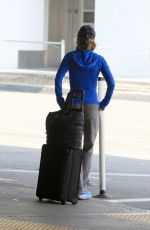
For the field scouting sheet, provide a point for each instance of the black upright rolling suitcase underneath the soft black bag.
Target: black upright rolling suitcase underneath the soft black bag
(59, 174)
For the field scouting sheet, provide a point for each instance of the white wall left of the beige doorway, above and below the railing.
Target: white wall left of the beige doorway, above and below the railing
(19, 20)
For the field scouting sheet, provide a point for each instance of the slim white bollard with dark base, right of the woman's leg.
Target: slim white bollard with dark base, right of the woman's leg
(102, 173)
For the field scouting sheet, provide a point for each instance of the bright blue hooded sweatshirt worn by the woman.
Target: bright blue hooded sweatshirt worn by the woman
(84, 67)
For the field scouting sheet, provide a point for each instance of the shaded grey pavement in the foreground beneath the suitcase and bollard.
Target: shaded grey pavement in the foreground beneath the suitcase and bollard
(18, 178)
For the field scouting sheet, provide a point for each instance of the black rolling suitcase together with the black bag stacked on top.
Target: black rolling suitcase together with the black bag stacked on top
(61, 156)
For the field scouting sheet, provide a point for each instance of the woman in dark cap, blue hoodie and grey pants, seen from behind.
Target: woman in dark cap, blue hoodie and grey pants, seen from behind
(84, 67)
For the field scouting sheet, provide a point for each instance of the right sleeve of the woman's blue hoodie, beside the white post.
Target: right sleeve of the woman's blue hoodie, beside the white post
(105, 70)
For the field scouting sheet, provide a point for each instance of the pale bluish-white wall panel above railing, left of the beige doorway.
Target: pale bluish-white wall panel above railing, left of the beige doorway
(31, 20)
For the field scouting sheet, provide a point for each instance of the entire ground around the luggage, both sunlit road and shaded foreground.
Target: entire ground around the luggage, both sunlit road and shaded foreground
(127, 163)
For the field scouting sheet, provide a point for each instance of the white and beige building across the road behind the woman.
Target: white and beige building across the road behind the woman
(32, 31)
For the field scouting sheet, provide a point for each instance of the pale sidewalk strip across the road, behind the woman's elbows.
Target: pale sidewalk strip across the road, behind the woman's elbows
(125, 89)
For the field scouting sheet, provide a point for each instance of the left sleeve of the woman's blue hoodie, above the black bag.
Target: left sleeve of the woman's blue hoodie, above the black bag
(58, 80)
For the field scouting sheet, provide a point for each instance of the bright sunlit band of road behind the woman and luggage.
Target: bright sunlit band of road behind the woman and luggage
(127, 123)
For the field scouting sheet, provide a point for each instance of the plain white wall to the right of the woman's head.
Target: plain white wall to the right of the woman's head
(125, 24)
